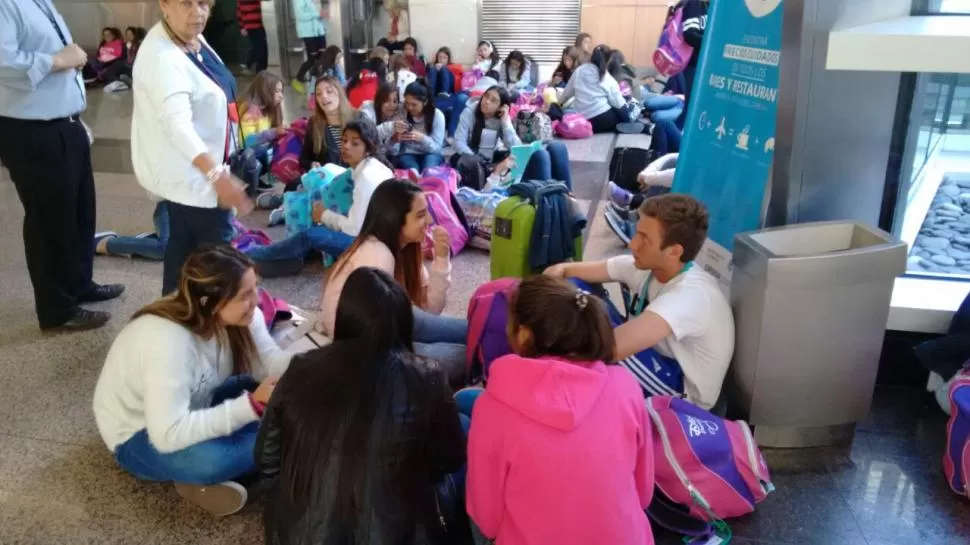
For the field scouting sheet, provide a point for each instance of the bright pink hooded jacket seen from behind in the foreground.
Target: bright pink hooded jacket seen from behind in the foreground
(560, 452)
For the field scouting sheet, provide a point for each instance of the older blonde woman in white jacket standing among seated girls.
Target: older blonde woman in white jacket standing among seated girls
(184, 128)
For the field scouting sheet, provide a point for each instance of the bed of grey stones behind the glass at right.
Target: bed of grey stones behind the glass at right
(943, 243)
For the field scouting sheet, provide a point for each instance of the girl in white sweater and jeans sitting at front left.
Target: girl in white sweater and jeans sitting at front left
(184, 385)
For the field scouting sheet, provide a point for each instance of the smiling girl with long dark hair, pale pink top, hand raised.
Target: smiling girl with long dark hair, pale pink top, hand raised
(390, 239)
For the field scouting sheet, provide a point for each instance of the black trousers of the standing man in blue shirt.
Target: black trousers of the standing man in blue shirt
(50, 165)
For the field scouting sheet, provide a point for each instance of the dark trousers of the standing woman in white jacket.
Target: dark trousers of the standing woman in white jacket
(191, 227)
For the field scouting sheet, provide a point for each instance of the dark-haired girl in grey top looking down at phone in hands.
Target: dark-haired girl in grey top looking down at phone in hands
(420, 136)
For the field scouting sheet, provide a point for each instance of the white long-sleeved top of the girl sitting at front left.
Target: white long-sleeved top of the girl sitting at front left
(160, 377)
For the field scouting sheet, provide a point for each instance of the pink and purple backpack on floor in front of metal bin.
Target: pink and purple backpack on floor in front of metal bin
(710, 465)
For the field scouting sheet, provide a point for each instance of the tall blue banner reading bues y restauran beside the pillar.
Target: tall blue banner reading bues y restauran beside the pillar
(729, 133)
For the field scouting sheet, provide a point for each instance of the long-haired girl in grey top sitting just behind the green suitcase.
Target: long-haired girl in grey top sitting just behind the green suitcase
(486, 125)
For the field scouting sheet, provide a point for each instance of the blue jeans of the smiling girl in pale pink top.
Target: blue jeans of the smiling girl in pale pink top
(442, 338)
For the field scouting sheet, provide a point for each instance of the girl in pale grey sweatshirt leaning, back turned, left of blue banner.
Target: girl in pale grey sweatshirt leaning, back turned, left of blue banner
(597, 93)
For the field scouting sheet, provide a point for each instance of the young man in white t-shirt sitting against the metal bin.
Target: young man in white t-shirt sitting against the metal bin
(678, 337)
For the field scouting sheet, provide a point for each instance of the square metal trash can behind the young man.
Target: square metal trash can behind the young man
(810, 305)
